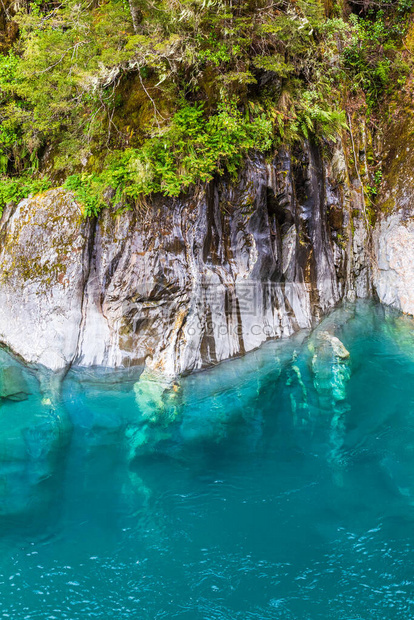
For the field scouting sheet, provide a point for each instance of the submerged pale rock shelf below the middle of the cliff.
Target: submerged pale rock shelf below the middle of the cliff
(177, 416)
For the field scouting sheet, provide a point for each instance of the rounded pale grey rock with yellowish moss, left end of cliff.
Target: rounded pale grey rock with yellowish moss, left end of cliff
(43, 269)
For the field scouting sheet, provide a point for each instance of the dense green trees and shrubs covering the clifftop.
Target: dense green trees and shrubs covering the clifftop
(119, 99)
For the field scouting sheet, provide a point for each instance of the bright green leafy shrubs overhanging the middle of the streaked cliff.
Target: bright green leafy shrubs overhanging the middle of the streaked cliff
(194, 148)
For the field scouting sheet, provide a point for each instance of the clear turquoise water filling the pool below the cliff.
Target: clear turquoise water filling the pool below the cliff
(280, 485)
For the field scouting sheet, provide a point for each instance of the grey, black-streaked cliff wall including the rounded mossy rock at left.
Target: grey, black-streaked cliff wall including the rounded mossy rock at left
(186, 282)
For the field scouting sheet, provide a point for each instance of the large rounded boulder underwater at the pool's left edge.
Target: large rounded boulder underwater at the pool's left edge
(34, 432)
